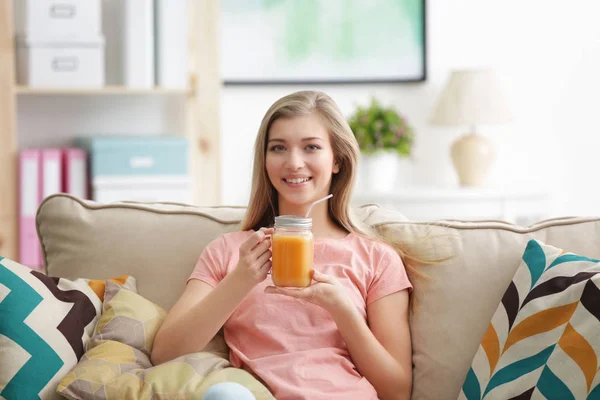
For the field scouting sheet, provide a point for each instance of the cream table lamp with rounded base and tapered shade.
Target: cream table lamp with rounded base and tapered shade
(471, 98)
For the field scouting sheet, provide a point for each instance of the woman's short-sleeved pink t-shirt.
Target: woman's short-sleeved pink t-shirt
(293, 346)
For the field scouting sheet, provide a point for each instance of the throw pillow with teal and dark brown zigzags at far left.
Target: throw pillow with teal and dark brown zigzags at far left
(45, 324)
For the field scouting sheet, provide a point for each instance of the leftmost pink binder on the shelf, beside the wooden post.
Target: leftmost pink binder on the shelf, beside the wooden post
(29, 197)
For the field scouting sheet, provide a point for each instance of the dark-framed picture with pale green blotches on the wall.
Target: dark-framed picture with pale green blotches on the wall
(322, 41)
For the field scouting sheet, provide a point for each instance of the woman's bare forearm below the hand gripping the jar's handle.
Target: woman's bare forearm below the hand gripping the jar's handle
(192, 331)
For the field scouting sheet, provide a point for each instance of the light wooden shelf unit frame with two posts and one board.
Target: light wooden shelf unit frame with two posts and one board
(202, 103)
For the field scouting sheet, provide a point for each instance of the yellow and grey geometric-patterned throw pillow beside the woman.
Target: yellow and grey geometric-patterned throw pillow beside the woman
(117, 364)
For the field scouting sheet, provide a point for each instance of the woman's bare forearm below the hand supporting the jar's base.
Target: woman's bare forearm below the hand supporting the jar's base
(372, 360)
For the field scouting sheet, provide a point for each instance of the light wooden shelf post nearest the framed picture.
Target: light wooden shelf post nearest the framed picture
(203, 103)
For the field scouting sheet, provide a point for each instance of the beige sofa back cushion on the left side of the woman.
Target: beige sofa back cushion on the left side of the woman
(158, 244)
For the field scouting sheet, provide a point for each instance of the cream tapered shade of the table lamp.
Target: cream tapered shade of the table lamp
(471, 97)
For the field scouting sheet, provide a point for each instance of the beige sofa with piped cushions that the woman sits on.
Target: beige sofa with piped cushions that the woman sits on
(160, 243)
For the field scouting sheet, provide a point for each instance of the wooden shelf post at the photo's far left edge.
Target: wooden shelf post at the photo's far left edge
(8, 135)
